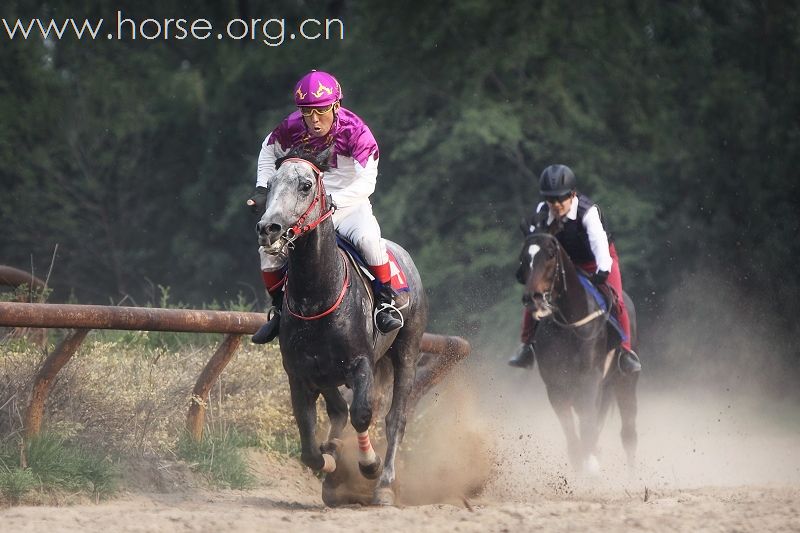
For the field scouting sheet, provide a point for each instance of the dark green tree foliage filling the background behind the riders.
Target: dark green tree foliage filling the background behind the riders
(679, 118)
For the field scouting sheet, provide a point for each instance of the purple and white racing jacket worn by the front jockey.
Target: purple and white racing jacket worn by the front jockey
(354, 160)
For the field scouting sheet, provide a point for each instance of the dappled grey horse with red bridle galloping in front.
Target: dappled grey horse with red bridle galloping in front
(328, 338)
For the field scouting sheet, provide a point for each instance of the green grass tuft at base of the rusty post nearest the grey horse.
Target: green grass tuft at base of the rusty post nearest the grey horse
(220, 457)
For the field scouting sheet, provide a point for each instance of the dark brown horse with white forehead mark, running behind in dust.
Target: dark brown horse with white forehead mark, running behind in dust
(575, 351)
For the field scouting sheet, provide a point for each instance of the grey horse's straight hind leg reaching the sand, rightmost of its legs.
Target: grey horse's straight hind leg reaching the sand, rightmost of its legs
(404, 372)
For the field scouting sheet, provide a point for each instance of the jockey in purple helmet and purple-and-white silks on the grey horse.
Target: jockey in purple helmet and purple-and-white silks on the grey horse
(321, 123)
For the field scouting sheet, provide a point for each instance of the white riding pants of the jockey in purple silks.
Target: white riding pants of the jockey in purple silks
(355, 222)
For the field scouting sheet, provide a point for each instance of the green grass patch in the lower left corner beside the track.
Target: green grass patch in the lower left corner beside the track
(54, 464)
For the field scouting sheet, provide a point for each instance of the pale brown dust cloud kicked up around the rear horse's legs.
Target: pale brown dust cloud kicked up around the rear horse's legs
(718, 407)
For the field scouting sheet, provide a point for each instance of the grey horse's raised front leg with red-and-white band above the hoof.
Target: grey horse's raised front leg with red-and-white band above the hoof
(361, 377)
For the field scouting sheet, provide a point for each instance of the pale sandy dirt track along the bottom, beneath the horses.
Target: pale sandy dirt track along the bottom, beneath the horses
(706, 509)
